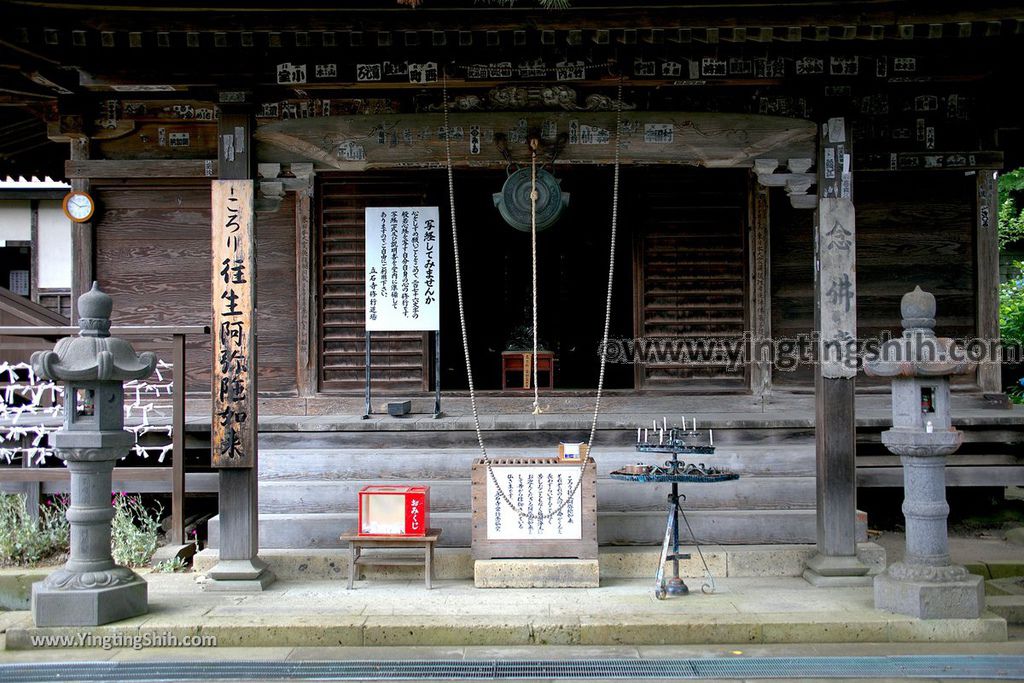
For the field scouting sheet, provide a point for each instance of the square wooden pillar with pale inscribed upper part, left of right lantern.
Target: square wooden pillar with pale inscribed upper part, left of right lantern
(836, 324)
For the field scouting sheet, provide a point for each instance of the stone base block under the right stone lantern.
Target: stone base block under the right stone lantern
(955, 600)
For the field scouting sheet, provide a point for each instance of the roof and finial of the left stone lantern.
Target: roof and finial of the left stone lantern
(95, 355)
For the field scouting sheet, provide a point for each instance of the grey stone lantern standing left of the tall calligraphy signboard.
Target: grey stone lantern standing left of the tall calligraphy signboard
(91, 589)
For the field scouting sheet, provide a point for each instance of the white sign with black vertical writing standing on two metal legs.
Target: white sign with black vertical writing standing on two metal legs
(403, 269)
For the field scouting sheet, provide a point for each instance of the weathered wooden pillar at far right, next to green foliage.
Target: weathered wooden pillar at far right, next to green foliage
(988, 273)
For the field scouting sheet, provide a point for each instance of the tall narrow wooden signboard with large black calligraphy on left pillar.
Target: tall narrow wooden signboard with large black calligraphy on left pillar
(234, 388)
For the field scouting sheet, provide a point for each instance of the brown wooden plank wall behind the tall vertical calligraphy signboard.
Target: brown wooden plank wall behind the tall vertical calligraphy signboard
(153, 257)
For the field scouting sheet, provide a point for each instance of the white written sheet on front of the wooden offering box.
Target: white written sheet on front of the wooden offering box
(538, 492)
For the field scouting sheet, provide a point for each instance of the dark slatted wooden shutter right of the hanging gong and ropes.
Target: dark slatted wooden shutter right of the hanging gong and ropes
(693, 275)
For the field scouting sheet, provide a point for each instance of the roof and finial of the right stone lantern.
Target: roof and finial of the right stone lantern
(919, 353)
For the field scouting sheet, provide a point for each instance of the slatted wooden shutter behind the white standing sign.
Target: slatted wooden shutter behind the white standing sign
(400, 359)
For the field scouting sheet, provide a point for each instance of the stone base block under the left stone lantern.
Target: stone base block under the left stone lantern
(89, 607)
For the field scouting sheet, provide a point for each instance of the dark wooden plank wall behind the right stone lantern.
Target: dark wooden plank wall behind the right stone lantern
(913, 229)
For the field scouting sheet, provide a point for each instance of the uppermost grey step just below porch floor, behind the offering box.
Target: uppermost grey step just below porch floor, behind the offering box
(415, 465)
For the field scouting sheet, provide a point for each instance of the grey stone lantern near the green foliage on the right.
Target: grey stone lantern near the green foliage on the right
(925, 584)
